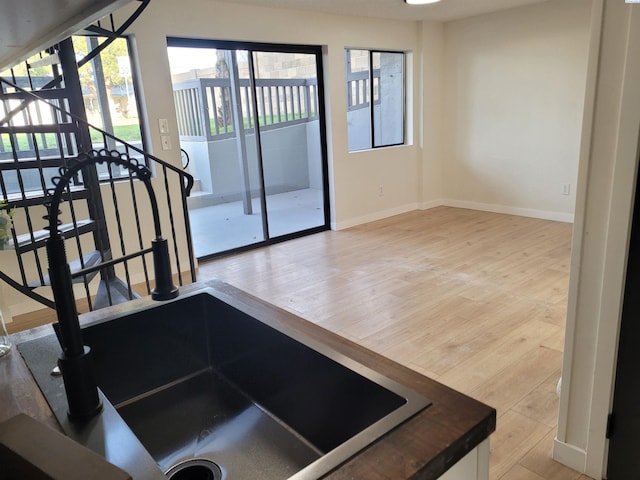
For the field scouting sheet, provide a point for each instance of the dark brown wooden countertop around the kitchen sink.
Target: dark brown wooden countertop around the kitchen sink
(423, 447)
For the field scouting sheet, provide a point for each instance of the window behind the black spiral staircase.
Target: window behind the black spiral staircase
(110, 104)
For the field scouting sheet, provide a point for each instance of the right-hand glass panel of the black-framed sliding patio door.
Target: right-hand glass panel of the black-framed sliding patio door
(290, 140)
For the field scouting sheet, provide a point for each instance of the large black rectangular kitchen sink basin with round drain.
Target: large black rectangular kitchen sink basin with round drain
(199, 378)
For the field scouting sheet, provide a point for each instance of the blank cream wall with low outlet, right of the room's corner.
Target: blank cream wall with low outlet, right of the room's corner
(514, 89)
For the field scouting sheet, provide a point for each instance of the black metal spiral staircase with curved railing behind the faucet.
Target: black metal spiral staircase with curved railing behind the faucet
(43, 128)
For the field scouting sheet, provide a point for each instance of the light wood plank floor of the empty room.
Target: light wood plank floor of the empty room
(475, 300)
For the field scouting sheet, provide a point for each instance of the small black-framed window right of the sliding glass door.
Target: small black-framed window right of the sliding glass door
(378, 75)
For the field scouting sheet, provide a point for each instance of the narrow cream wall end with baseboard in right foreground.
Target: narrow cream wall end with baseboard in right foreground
(608, 170)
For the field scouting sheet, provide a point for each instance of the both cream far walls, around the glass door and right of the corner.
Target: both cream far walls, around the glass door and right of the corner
(495, 101)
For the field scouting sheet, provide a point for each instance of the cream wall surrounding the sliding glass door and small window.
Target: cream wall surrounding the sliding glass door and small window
(355, 177)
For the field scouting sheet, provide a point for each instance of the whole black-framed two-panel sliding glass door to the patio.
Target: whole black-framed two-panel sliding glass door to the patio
(252, 131)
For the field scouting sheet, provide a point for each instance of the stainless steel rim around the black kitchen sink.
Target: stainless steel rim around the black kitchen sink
(414, 402)
